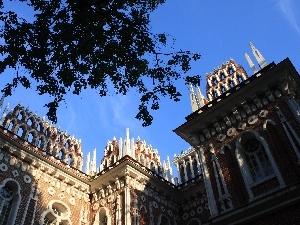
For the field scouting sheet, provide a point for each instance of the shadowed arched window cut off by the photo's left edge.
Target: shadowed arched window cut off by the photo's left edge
(9, 202)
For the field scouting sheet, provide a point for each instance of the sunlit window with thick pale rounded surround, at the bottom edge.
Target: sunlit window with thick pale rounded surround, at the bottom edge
(58, 213)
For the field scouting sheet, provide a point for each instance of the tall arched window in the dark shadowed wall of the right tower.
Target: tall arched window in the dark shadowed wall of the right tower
(254, 153)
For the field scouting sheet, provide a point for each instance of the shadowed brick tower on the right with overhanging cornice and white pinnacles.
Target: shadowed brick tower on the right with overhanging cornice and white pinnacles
(247, 142)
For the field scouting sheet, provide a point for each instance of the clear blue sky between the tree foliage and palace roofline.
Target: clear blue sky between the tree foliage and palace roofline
(217, 30)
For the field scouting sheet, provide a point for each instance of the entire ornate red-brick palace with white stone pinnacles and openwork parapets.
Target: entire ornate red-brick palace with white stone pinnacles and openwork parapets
(243, 166)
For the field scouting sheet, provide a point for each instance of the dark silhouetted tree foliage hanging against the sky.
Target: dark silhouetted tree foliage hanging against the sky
(106, 45)
